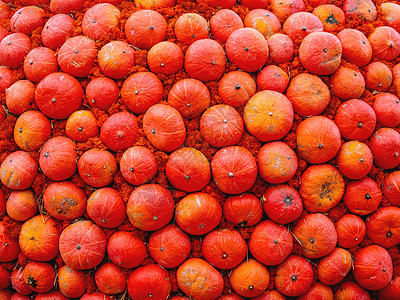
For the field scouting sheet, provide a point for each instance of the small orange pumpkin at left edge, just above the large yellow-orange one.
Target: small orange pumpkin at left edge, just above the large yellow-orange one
(21, 205)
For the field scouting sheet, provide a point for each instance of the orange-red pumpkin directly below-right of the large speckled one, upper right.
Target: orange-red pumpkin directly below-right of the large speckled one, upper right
(347, 83)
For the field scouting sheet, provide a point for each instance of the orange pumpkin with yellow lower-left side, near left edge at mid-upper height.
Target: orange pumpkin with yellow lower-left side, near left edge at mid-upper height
(32, 130)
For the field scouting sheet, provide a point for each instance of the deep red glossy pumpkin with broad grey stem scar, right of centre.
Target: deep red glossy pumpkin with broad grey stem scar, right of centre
(282, 204)
